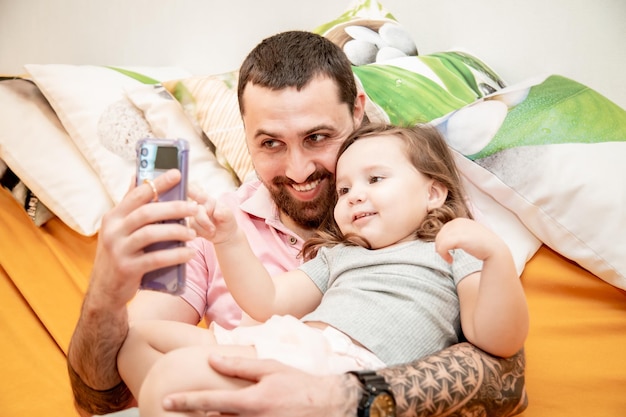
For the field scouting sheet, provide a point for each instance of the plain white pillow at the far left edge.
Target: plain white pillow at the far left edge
(34, 144)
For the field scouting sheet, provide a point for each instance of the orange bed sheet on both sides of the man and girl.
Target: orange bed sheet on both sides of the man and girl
(575, 360)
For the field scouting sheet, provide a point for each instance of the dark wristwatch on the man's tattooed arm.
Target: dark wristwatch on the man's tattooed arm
(377, 399)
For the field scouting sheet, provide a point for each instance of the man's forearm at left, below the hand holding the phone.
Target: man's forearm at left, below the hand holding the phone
(92, 360)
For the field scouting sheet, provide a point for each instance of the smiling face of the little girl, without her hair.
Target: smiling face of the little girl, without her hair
(382, 197)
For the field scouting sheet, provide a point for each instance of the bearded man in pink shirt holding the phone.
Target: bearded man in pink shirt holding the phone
(299, 101)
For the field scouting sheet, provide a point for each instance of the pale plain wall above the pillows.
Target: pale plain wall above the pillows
(581, 39)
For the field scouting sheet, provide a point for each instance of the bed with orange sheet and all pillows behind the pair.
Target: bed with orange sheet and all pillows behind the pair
(541, 157)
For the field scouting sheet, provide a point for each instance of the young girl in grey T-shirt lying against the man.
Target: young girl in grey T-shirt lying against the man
(400, 271)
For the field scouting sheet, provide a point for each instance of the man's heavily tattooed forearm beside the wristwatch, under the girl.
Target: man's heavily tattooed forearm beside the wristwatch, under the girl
(459, 381)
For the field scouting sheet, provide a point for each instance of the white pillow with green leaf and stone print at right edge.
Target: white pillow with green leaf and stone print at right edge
(552, 151)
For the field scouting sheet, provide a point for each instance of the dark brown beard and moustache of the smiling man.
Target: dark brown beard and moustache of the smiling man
(307, 214)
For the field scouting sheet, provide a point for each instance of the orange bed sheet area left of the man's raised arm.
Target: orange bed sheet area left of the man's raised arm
(43, 276)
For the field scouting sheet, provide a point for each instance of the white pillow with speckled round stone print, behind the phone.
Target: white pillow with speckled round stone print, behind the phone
(90, 101)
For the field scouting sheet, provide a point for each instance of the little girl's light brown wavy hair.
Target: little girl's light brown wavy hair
(429, 153)
